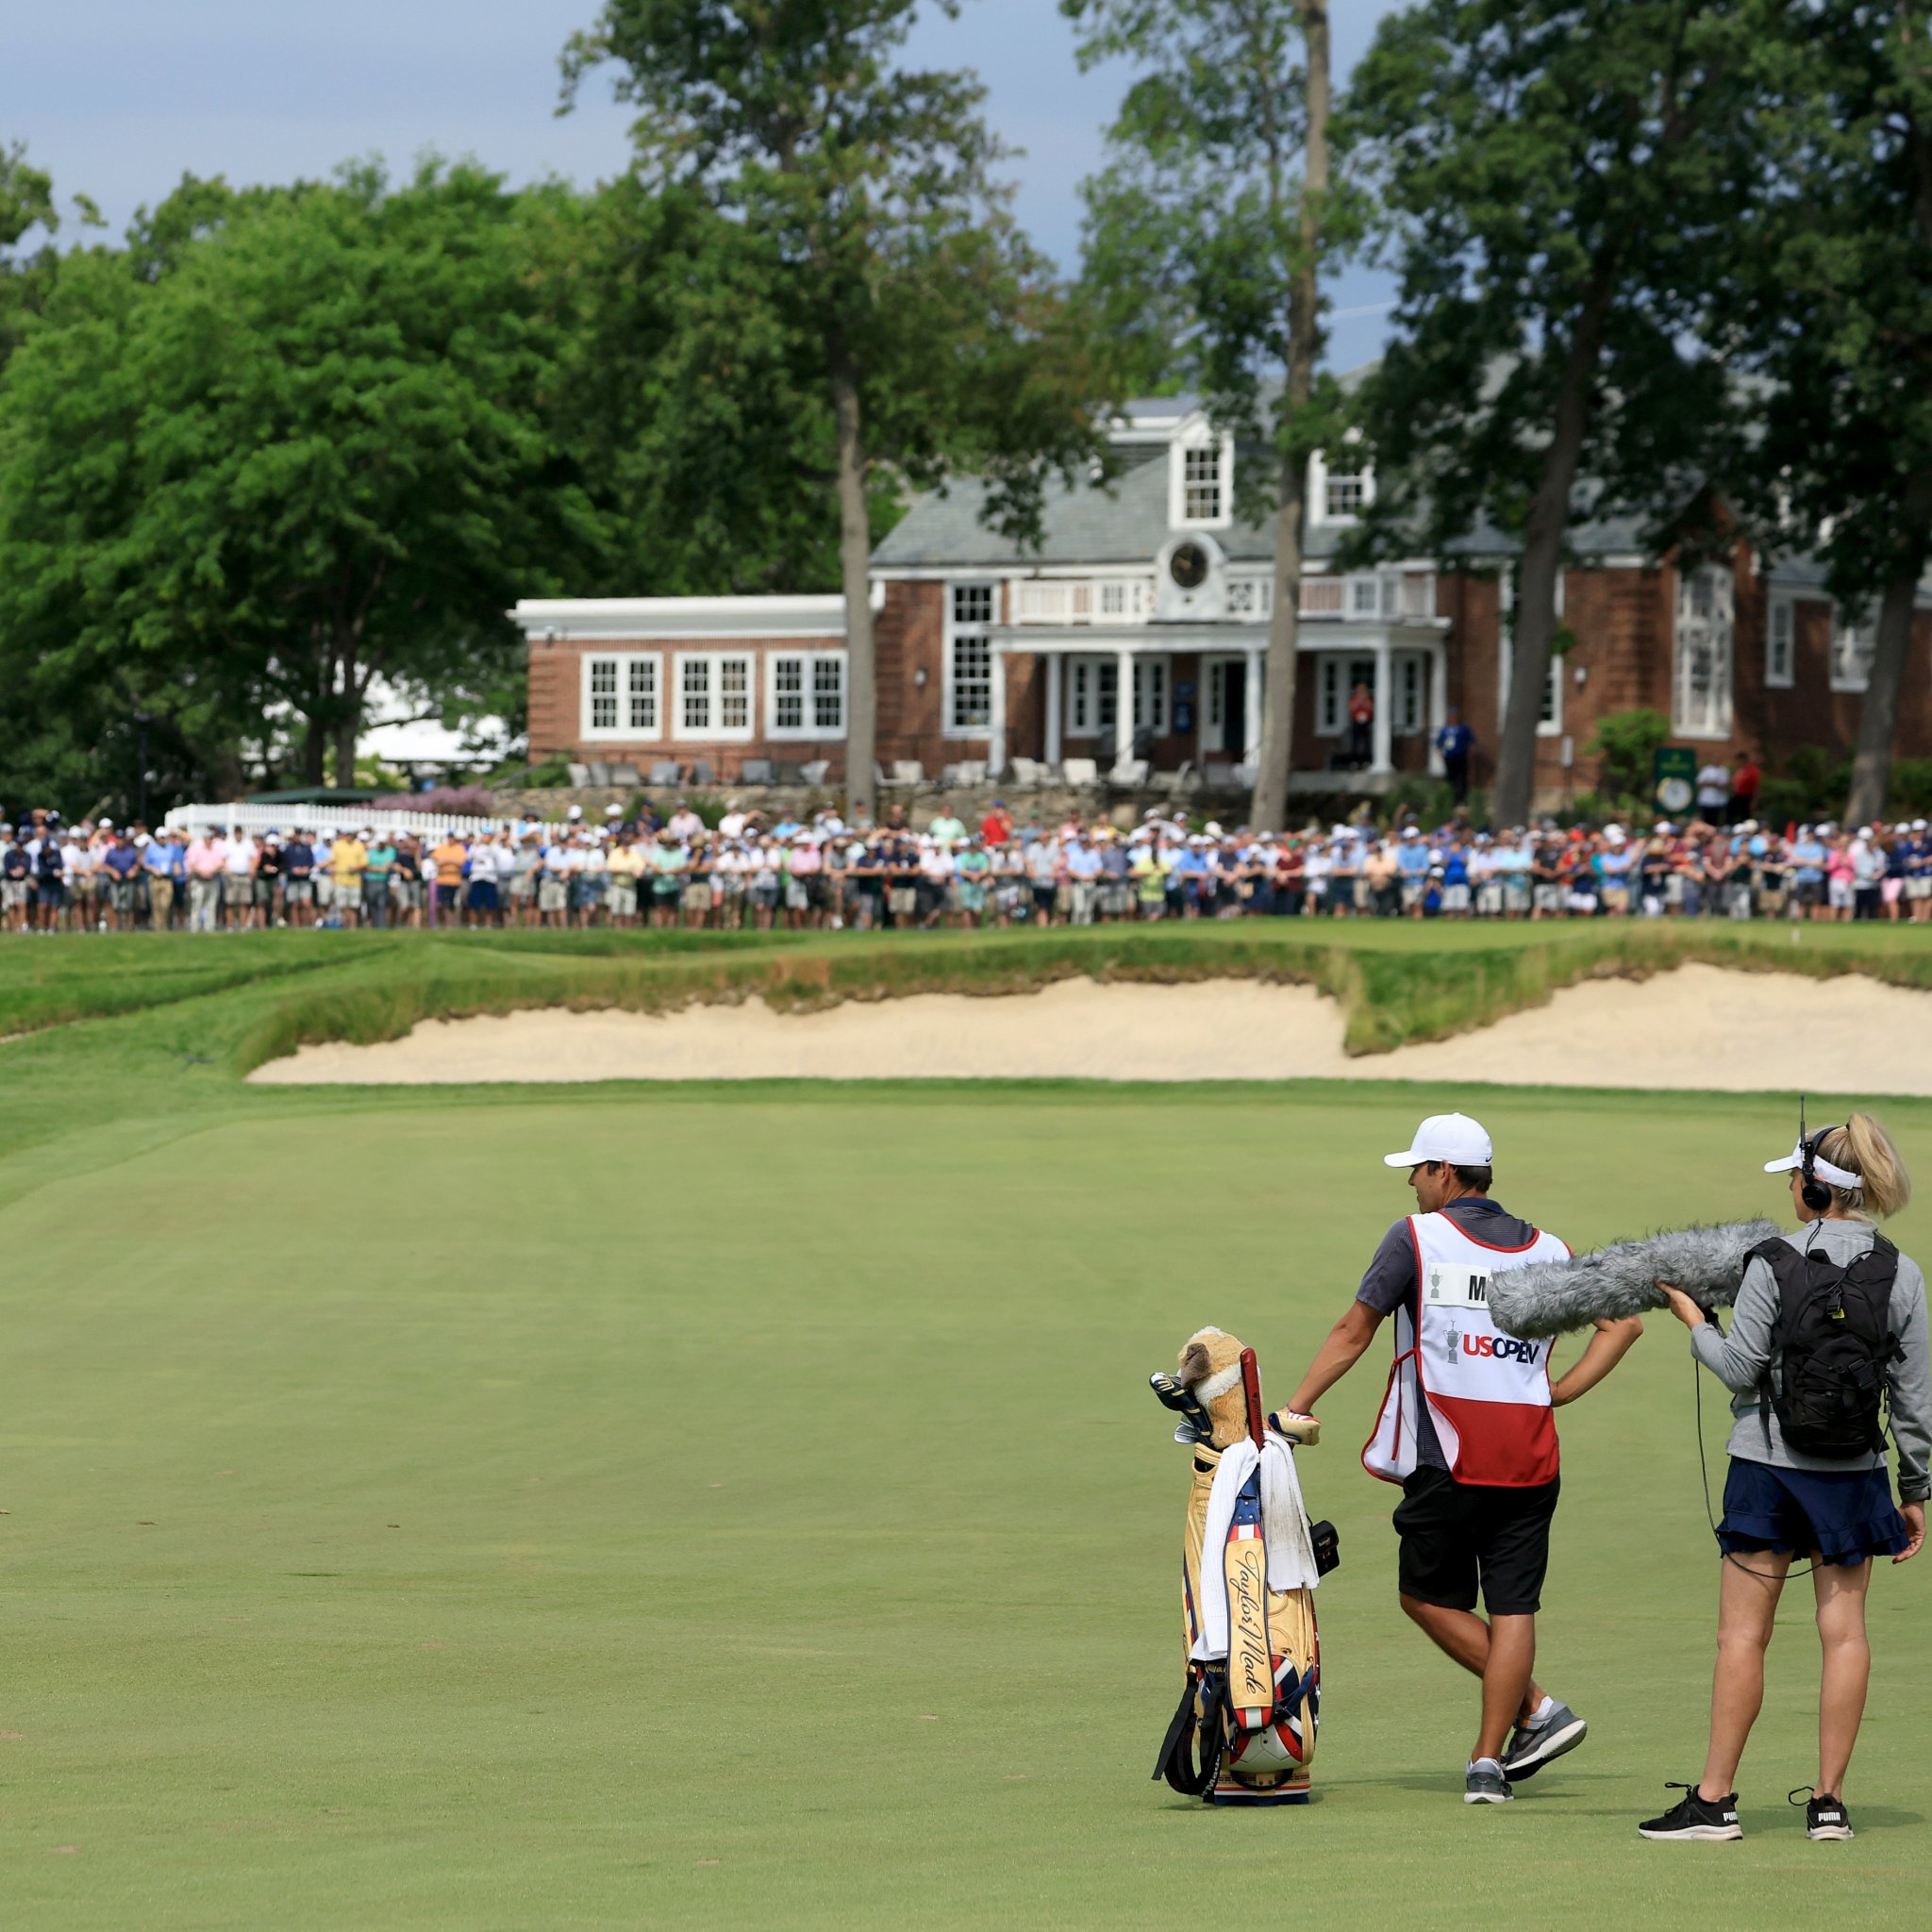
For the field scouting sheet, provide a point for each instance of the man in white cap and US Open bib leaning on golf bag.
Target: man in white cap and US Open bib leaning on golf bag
(1469, 1435)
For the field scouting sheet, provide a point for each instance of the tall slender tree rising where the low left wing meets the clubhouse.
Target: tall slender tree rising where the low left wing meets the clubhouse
(934, 327)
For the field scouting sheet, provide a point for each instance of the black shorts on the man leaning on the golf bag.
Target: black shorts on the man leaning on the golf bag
(1458, 1535)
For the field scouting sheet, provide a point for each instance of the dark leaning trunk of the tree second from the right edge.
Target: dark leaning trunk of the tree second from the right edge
(1543, 557)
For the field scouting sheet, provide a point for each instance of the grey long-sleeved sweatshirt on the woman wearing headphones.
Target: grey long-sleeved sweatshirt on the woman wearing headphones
(1740, 1359)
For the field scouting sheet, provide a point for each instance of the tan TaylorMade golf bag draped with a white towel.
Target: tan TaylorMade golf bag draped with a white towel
(1245, 1730)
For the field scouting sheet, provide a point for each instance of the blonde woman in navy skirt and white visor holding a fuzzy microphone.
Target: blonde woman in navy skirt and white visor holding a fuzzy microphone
(1827, 1319)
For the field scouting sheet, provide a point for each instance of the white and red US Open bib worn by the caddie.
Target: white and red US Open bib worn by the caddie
(1489, 1392)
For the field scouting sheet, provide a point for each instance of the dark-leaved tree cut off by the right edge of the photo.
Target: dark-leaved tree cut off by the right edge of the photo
(1838, 324)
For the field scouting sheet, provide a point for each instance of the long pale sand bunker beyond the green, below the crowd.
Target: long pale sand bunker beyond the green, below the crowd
(1697, 1027)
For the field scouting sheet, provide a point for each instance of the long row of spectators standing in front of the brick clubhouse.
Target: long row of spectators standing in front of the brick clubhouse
(749, 874)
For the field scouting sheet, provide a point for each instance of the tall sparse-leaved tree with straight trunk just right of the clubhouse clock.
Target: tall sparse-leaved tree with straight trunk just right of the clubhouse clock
(1208, 233)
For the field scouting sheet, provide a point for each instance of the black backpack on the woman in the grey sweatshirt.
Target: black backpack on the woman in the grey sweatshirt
(1833, 1344)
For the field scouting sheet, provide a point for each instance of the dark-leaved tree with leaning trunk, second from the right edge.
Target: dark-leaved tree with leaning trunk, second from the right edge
(1564, 181)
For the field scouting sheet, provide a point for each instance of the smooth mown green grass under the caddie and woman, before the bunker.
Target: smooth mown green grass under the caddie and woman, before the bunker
(526, 1512)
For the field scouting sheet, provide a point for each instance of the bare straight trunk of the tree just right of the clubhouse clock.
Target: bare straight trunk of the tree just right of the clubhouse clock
(1270, 807)
